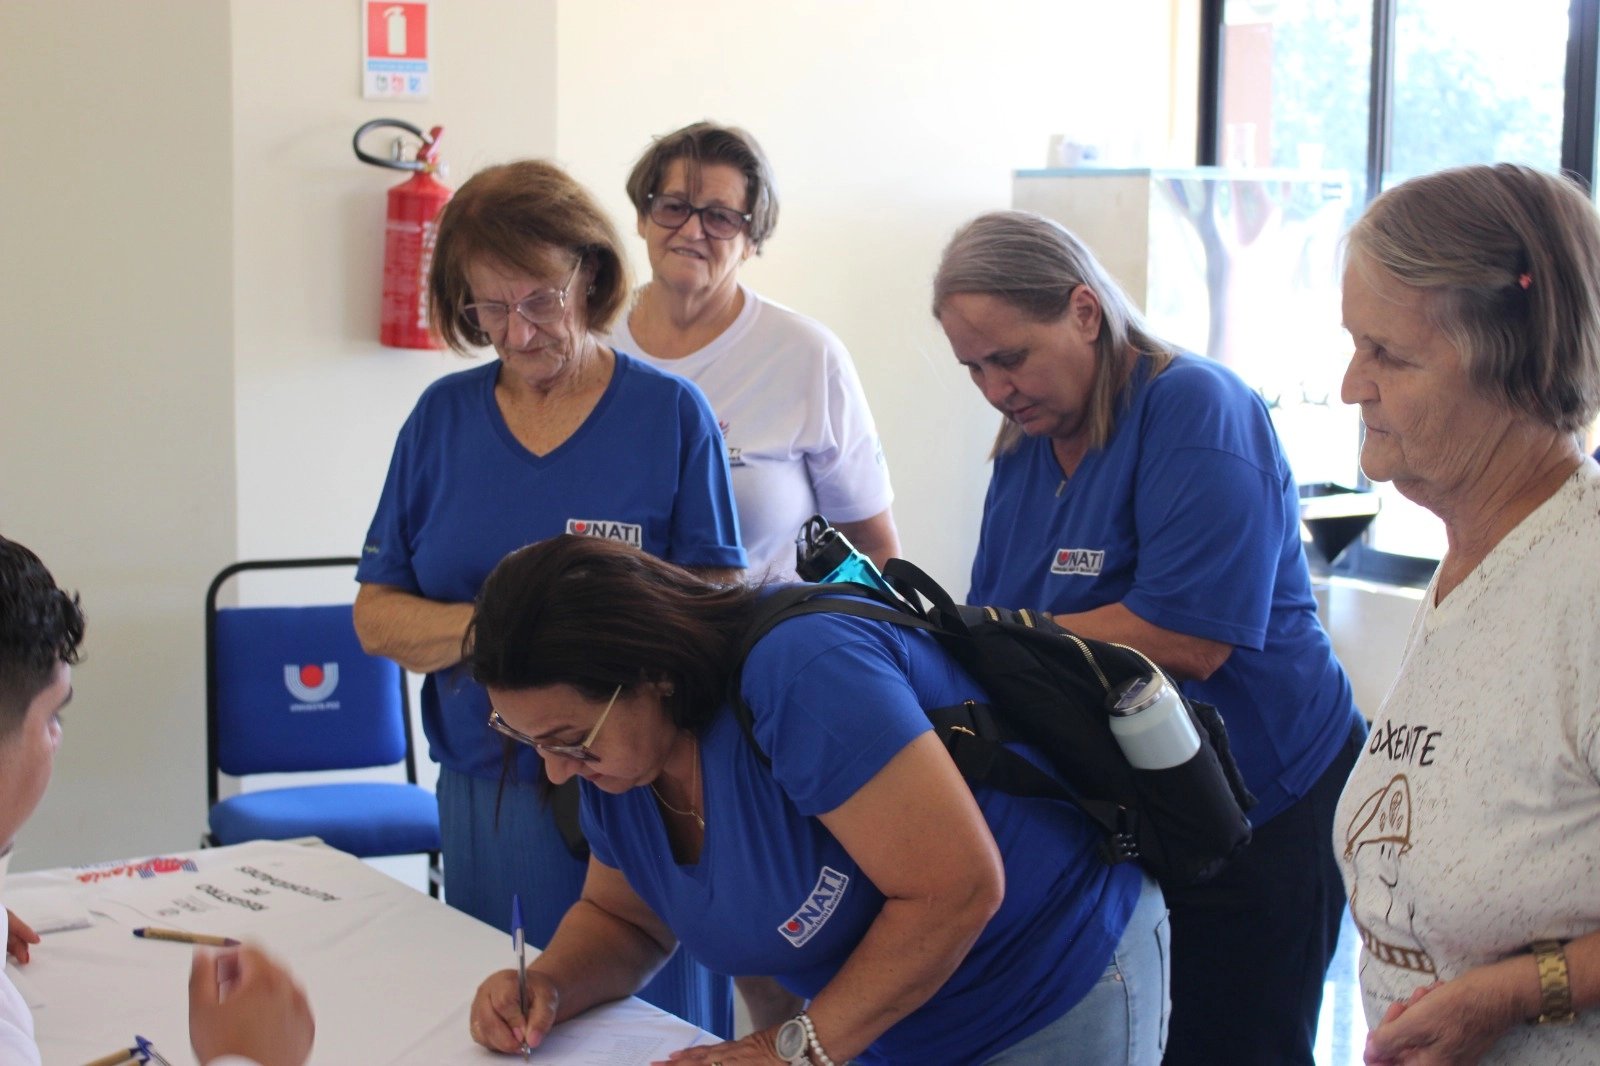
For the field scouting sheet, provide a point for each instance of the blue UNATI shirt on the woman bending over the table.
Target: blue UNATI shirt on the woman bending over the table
(834, 700)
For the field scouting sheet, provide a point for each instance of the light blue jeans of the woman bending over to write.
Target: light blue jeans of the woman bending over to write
(1122, 1022)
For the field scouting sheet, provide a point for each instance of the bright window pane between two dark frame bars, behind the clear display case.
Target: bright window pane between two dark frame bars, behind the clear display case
(1295, 95)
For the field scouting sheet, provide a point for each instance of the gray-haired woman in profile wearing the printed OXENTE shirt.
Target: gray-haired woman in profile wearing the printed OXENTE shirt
(1471, 827)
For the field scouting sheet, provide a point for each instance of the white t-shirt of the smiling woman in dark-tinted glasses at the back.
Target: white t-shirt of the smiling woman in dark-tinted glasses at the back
(796, 423)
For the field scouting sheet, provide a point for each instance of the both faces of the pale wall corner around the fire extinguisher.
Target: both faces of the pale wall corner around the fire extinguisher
(191, 374)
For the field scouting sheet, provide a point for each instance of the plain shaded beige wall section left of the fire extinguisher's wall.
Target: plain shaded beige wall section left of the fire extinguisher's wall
(118, 388)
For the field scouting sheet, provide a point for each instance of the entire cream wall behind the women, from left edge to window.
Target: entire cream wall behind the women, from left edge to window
(191, 297)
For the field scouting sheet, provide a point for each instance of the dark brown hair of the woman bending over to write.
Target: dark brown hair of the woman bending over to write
(594, 614)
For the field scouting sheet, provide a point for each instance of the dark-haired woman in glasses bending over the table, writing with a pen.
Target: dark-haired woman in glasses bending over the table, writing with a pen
(922, 921)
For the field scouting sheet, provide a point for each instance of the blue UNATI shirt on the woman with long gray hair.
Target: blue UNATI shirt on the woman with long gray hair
(1190, 518)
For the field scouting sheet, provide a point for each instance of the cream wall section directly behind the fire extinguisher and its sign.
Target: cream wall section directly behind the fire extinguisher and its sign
(318, 401)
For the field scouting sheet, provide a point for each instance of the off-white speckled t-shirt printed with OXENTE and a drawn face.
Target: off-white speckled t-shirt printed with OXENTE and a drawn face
(1471, 824)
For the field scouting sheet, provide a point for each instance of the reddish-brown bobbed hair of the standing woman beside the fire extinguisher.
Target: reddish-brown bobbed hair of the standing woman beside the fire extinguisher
(516, 215)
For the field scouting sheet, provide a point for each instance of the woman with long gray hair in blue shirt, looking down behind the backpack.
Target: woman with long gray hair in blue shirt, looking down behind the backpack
(1140, 495)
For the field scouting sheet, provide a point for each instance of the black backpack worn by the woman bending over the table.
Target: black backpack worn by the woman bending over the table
(1050, 692)
